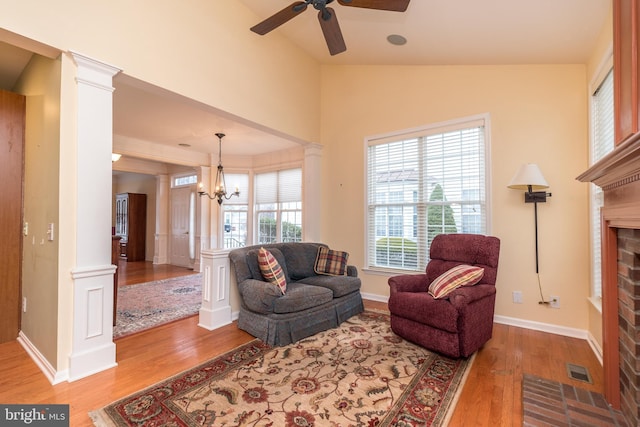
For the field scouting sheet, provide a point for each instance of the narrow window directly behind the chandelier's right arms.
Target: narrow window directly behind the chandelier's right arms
(235, 212)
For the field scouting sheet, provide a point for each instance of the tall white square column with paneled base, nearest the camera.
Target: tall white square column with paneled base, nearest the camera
(92, 348)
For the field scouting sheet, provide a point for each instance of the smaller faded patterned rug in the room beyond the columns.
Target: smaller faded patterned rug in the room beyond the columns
(146, 305)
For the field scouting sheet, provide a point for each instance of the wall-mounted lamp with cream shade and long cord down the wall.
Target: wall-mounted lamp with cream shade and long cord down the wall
(530, 179)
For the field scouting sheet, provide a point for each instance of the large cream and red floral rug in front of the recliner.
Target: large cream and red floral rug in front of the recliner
(359, 374)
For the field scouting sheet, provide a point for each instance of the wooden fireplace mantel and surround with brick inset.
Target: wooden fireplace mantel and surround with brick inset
(618, 174)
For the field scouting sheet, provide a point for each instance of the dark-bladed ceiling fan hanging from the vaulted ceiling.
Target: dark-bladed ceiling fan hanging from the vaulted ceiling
(327, 17)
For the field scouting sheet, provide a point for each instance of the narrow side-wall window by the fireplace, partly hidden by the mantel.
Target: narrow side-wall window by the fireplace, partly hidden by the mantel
(602, 142)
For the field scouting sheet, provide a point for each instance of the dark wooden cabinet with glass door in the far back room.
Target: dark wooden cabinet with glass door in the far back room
(131, 225)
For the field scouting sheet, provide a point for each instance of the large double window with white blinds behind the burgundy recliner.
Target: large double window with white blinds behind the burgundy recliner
(421, 183)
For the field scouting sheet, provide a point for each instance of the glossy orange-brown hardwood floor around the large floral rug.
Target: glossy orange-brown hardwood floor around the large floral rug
(491, 396)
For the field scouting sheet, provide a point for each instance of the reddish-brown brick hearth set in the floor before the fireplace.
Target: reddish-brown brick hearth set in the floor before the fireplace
(551, 403)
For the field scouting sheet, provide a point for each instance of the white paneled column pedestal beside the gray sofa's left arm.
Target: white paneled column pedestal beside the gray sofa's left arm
(216, 306)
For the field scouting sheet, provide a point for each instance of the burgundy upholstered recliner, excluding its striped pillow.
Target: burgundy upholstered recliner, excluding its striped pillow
(460, 323)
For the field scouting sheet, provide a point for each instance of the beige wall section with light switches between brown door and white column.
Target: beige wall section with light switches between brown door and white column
(40, 82)
